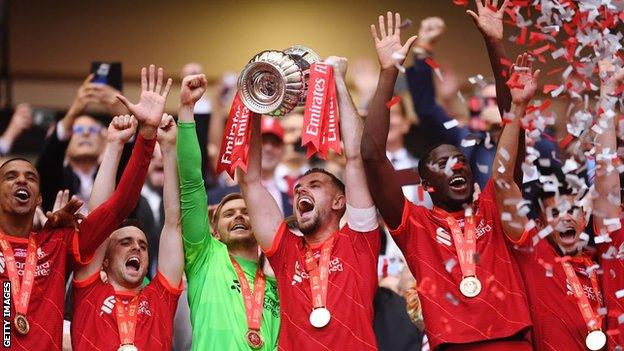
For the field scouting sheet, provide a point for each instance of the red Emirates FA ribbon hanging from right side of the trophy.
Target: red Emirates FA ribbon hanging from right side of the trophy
(321, 120)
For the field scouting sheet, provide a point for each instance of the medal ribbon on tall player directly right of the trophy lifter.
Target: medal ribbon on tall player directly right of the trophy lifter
(465, 244)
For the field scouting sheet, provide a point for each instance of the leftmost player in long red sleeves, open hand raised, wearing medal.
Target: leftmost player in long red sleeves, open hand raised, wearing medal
(35, 264)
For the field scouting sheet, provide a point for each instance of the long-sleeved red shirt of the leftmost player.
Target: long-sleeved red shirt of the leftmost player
(59, 250)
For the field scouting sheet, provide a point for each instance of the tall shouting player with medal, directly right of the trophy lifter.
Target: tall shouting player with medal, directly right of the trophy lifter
(470, 290)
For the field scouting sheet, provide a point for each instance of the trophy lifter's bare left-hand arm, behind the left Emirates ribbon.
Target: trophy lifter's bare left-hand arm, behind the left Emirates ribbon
(264, 212)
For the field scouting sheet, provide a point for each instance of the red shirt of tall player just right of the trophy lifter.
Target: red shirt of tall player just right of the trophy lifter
(499, 311)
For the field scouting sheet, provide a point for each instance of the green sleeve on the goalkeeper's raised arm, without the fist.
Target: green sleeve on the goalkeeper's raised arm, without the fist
(193, 199)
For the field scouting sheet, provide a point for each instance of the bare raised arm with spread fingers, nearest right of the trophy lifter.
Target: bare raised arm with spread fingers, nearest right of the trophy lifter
(384, 188)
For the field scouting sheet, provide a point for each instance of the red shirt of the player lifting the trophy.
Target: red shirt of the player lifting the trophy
(351, 288)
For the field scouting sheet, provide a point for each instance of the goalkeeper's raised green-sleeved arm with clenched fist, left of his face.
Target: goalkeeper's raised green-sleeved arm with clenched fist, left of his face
(193, 199)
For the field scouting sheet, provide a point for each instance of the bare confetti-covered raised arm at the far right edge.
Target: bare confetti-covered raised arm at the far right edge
(607, 183)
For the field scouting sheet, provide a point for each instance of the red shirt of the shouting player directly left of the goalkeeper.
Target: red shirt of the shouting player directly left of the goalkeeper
(94, 325)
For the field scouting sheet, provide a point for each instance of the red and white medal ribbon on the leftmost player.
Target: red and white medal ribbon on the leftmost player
(21, 291)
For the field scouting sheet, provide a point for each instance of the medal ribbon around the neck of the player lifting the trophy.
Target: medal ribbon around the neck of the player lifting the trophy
(319, 273)
